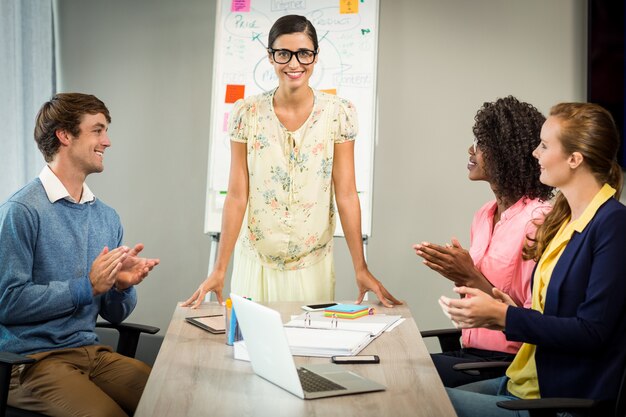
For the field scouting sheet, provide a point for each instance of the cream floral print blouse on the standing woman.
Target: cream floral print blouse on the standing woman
(291, 215)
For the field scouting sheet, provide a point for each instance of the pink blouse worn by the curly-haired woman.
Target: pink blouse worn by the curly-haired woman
(497, 253)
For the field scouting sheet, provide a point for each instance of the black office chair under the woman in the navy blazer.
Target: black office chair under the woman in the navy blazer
(549, 407)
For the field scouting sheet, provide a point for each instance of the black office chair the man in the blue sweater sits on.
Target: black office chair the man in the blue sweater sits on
(128, 340)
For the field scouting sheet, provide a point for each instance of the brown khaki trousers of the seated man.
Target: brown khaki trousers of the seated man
(90, 381)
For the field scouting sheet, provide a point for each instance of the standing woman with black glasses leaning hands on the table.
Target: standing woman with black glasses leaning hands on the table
(292, 152)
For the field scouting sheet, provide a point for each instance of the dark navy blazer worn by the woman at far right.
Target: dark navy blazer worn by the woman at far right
(581, 336)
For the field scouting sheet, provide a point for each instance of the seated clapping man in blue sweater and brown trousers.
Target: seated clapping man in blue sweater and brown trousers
(62, 265)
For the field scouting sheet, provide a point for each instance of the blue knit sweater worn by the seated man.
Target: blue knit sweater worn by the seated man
(46, 252)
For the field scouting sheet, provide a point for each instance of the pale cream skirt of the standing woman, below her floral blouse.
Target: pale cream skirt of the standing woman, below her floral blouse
(251, 279)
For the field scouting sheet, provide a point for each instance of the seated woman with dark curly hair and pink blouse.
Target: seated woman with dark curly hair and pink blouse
(506, 132)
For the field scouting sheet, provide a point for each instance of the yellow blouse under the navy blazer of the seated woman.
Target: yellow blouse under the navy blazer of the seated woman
(522, 372)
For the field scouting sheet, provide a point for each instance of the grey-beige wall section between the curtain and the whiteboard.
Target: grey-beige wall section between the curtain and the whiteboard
(150, 62)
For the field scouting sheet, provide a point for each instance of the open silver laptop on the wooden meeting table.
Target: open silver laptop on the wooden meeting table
(271, 358)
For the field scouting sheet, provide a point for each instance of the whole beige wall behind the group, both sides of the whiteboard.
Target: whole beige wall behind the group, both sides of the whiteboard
(151, 61)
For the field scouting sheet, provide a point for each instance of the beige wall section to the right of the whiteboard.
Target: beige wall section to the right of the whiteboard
(438, 62)
